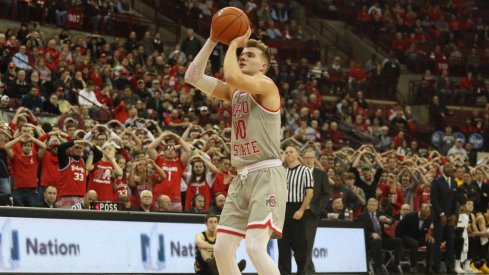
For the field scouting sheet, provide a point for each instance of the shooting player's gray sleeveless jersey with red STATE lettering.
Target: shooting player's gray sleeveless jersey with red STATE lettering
(255, 134)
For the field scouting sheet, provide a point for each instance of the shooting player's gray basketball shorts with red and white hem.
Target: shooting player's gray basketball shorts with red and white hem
(255, 201)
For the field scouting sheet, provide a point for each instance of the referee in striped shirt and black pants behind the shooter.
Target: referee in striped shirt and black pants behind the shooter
(300, 191)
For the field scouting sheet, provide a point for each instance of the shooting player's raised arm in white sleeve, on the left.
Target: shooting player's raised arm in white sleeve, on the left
(195, 74)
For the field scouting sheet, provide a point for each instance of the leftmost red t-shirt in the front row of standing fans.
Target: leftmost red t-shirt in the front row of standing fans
(25, 169)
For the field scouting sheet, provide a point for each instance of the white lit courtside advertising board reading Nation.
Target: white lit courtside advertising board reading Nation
(32, 245)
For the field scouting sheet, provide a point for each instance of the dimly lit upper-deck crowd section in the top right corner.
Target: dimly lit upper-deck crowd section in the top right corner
(445, 40)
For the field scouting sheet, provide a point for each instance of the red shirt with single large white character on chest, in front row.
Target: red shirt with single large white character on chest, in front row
(171, 185)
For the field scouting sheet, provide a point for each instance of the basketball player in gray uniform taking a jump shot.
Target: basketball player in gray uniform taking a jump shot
(255, 206)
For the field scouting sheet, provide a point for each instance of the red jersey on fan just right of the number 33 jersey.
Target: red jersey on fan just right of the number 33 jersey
(101, 181)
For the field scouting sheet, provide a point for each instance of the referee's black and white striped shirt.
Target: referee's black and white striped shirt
(299, 179)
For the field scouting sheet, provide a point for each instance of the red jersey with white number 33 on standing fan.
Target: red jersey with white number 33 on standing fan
(73, 181)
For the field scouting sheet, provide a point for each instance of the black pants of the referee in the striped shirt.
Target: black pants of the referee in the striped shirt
(293, 238)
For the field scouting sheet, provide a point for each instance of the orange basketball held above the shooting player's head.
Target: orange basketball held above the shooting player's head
(229, 23)
